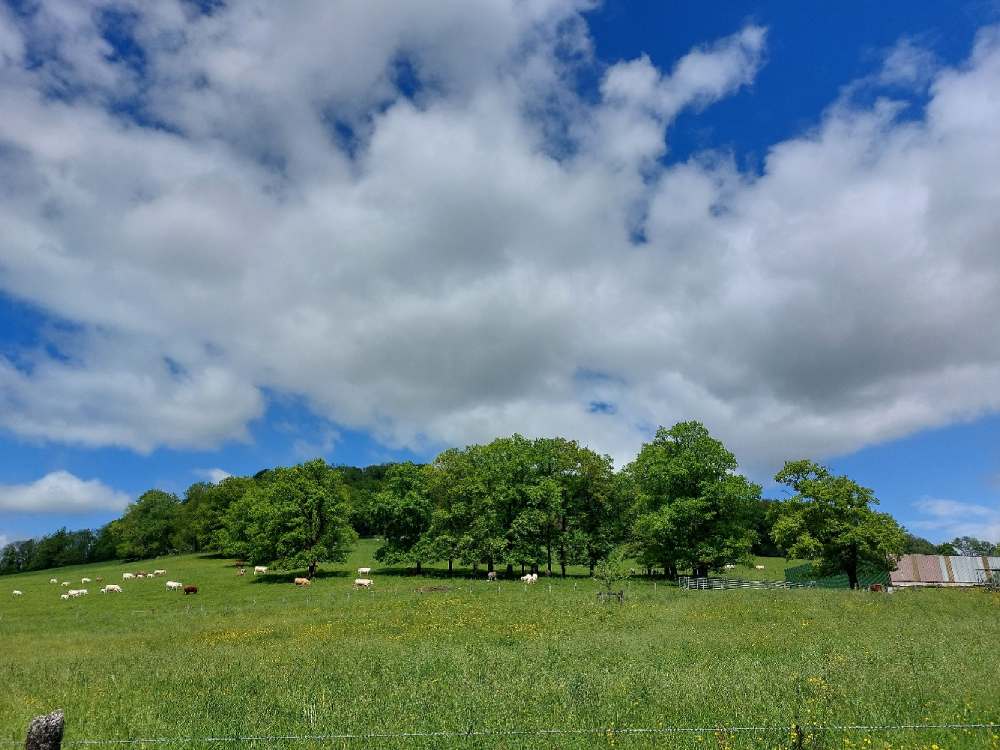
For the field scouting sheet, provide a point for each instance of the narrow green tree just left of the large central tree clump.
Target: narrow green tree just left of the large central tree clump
(402, 513)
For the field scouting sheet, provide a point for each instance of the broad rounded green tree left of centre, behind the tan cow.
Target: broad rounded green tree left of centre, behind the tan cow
(291, 518)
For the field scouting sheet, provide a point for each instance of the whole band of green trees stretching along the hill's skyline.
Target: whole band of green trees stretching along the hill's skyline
(514, 503)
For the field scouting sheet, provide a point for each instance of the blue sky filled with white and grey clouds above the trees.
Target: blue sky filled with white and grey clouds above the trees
(236, 235)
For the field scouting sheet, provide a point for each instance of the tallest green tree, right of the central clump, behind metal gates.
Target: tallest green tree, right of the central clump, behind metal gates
(692, 509)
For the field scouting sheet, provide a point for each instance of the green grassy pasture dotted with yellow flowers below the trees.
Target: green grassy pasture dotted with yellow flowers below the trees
(258, 657)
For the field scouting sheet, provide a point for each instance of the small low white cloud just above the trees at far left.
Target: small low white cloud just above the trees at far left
(61, 492)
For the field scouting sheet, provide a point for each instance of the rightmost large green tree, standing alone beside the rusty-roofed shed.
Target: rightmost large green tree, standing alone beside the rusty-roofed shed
(830, 520)
